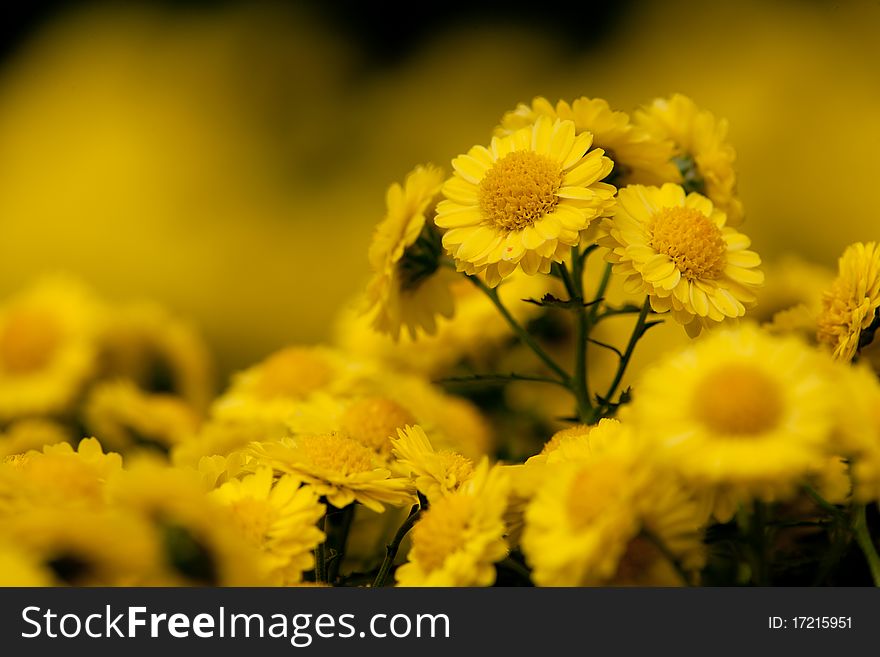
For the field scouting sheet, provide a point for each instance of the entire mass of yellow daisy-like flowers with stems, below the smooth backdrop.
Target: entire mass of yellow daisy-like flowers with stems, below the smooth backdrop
(750, 455)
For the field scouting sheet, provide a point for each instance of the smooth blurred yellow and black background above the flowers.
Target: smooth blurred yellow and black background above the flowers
(230, 159)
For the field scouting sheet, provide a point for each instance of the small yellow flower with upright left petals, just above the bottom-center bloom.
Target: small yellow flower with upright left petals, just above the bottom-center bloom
(436, 473)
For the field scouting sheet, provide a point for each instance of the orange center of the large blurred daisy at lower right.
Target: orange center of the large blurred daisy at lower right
(738, 400)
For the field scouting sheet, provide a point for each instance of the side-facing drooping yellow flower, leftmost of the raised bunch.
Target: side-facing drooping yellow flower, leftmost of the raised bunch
(409, 287)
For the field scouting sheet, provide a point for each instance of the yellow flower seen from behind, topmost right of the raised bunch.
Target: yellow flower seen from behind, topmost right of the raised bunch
(703, 155)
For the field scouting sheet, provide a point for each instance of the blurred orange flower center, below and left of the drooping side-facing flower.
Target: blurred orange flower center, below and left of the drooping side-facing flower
(293, 372)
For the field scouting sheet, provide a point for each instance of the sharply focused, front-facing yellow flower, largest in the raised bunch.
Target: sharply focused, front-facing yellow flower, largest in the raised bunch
(523, 201)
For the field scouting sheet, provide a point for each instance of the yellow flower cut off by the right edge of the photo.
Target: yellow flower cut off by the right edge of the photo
(851, 306)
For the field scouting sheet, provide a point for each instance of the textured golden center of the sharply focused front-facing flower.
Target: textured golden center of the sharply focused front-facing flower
(519, 189)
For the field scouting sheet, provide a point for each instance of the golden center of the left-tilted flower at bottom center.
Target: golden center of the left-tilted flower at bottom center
(441, 531)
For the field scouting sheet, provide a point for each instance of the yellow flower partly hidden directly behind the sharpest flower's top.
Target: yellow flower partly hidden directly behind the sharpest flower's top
(638, 157)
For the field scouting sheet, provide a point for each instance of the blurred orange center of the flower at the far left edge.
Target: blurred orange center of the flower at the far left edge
(28, 341)
